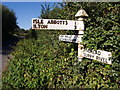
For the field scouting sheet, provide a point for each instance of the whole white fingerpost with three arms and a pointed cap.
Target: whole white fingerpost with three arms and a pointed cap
(53, 24)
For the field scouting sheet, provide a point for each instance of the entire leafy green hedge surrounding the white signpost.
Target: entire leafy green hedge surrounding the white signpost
(46, 62)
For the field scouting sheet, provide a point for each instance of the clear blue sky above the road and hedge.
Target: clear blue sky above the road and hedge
(25, 11)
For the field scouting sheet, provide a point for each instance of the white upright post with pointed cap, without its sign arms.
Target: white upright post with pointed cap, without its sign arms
(81, 14)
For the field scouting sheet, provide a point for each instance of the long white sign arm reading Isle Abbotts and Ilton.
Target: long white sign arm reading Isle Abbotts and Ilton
(57, 24)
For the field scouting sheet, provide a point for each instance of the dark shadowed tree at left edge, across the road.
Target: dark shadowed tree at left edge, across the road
(9, 21)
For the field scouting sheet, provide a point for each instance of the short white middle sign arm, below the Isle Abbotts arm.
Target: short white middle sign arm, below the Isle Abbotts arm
(71, 38)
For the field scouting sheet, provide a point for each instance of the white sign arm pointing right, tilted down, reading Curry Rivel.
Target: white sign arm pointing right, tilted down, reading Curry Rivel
(99, 55)
